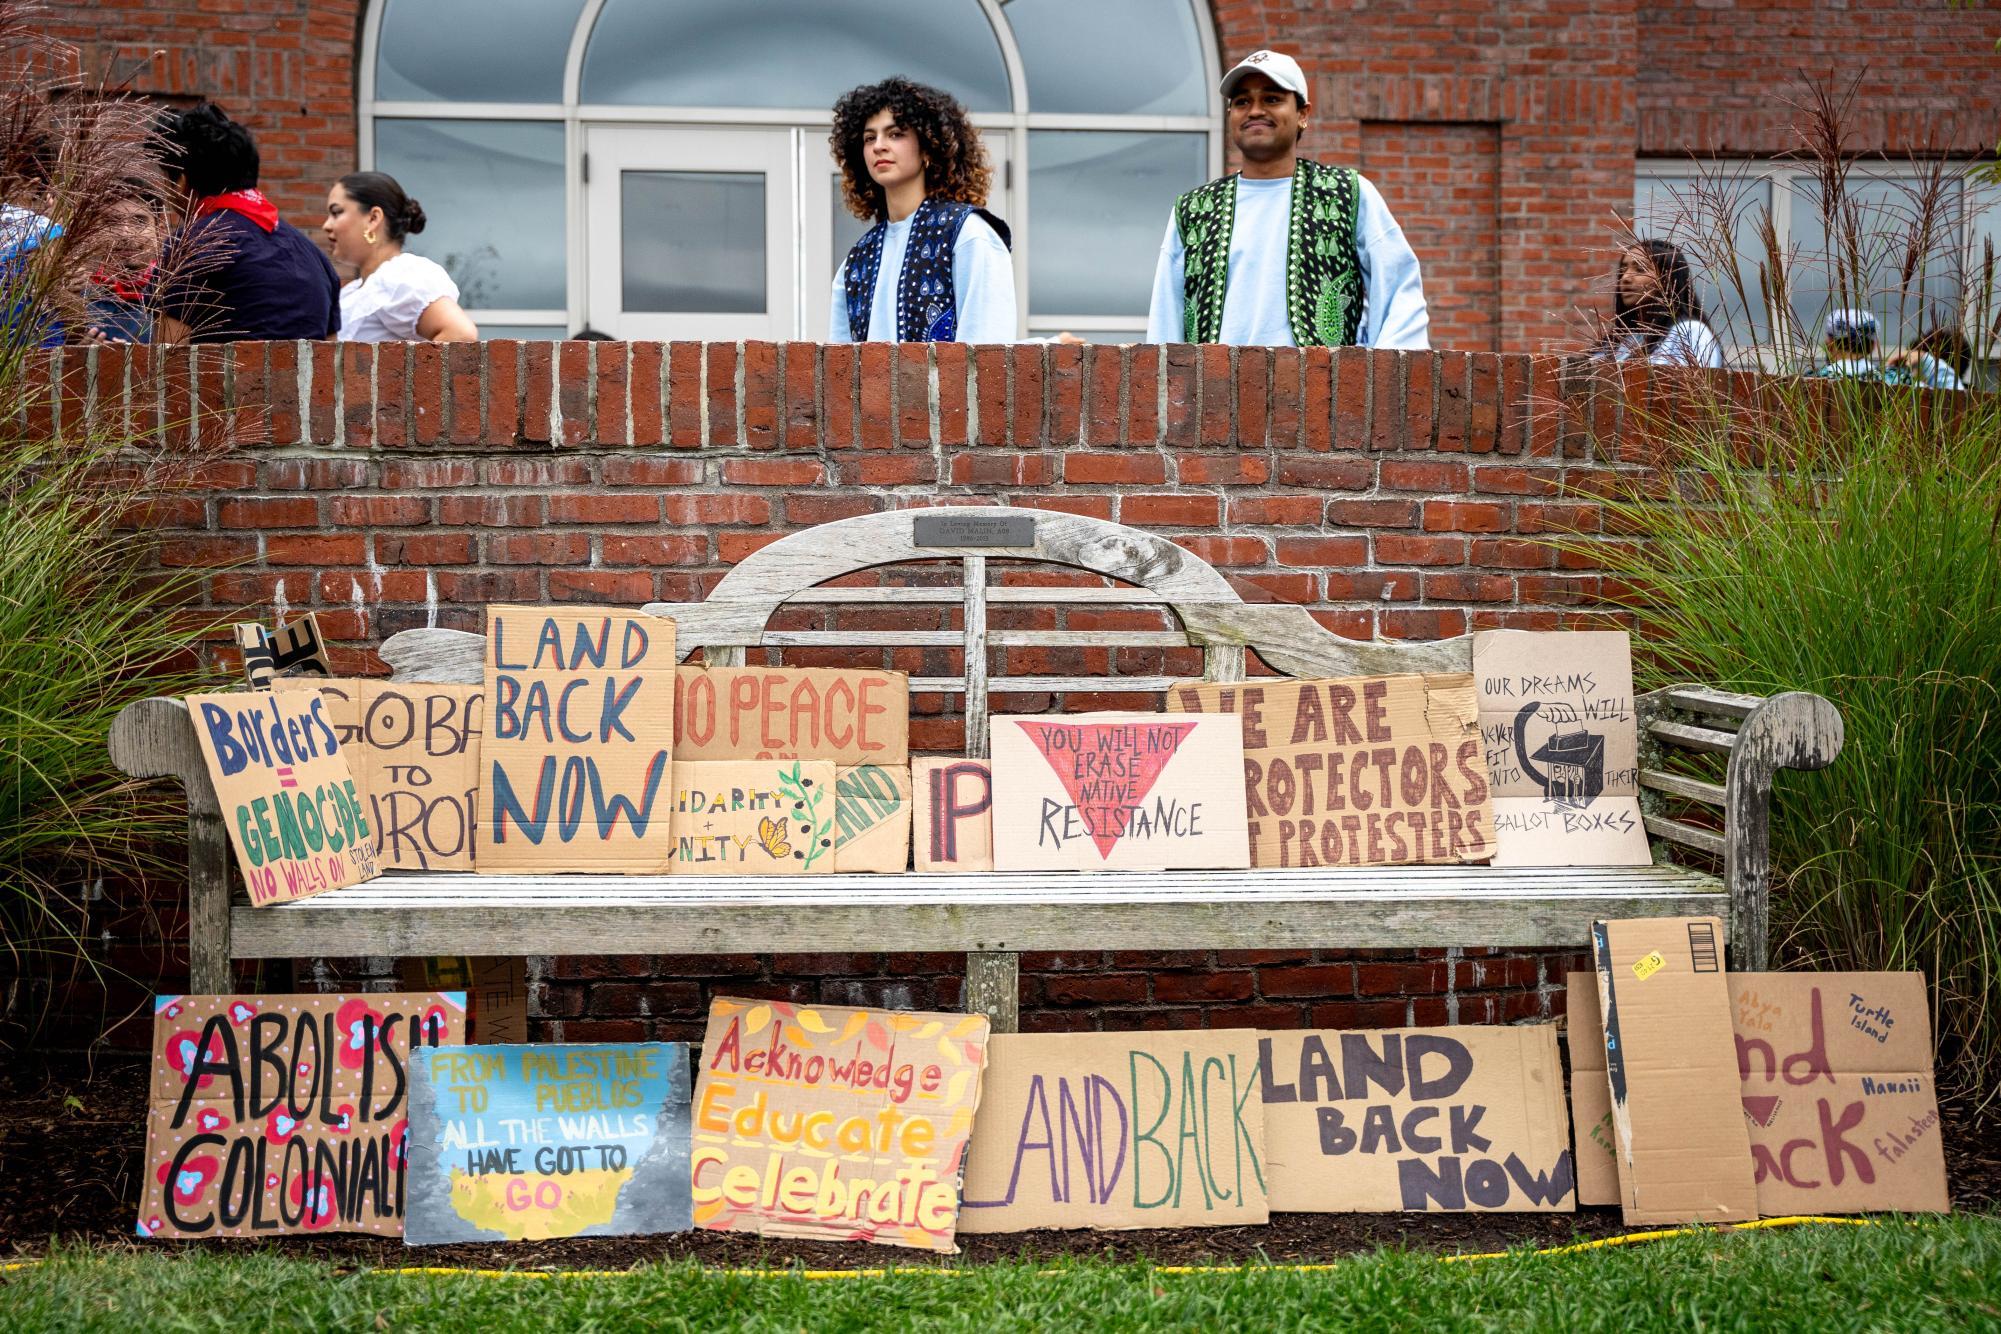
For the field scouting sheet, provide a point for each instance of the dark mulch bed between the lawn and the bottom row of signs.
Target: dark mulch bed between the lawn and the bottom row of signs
(71, 1145)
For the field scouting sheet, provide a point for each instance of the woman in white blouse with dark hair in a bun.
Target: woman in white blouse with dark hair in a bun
(397, 297)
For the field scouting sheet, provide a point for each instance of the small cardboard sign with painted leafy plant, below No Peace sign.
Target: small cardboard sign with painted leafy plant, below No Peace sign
(753, 819)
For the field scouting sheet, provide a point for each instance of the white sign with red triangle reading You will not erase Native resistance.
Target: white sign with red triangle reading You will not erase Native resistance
(1120, 791)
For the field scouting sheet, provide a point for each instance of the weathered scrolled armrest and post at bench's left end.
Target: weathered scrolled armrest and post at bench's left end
(155, 739)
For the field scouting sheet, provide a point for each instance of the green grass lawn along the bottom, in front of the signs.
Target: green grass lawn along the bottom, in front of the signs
(1898, 1277)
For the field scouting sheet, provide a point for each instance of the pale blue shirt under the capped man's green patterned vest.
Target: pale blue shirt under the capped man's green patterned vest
(1254, 301)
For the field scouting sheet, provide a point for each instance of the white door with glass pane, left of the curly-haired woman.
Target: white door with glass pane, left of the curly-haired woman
(691, 233)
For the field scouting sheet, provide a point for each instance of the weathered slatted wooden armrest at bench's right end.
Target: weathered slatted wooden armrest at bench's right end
(1762, 735)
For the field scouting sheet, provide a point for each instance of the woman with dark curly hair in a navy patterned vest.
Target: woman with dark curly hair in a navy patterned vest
(913, 163)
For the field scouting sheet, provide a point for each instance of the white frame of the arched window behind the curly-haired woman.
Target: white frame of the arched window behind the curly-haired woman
(575, 115)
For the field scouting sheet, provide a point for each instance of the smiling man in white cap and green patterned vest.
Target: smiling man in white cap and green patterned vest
(1288, 253)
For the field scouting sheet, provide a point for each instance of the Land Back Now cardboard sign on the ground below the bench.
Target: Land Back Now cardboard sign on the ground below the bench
(1464, 1119)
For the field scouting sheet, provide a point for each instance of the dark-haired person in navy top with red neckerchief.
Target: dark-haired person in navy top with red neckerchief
(235, 269)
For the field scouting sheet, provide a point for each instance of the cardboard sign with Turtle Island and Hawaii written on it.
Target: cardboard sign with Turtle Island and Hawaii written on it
(1838, 1093)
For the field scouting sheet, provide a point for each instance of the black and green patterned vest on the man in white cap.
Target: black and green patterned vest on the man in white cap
(1324, 281)
